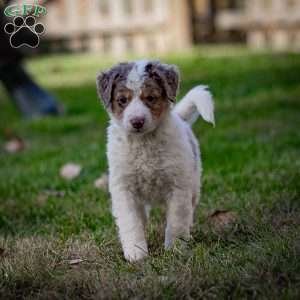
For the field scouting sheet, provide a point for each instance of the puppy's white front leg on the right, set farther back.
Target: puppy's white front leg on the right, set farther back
(179, 217)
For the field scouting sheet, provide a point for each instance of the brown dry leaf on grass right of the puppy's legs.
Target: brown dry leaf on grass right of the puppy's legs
(222, 219)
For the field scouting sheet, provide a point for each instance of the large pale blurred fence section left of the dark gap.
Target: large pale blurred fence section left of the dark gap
(118, 27)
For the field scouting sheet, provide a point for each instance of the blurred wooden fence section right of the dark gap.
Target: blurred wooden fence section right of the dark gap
(268, 23)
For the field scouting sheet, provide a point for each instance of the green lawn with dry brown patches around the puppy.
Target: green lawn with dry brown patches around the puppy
(251, 168)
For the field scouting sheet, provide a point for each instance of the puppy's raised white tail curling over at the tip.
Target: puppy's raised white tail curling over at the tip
(198, 101)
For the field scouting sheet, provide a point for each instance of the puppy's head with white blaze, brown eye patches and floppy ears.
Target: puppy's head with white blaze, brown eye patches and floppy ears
(138, 95)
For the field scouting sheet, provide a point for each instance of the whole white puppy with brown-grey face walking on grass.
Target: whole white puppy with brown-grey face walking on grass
(152, 152)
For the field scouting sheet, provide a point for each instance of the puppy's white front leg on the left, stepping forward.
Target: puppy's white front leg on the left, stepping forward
(130, 218)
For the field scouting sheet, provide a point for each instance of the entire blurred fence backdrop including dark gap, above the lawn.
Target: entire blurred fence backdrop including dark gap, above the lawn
(153, 26)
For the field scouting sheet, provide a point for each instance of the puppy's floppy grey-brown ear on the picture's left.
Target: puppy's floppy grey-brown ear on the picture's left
(104, 82)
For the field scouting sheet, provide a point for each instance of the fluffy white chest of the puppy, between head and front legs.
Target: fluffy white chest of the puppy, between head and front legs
(151, 165)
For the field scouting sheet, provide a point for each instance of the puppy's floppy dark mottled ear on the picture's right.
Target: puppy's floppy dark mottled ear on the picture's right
(168, 75)
